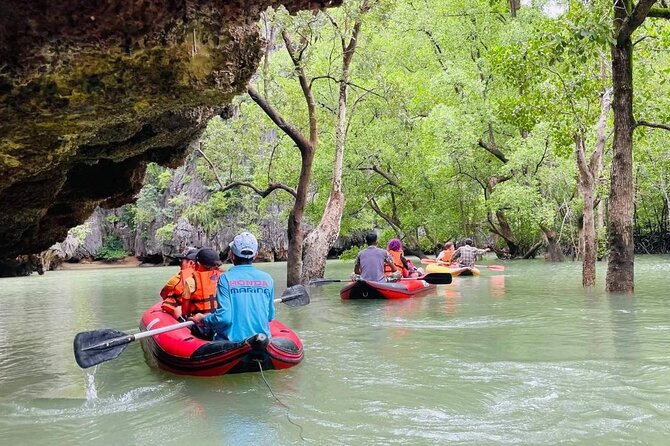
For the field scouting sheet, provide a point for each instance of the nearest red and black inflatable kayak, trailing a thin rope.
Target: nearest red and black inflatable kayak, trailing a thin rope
(180, 352)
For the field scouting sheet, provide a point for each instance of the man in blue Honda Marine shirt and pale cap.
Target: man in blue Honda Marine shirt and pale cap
(245, 296)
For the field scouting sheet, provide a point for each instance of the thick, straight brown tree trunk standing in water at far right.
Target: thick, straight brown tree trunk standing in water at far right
(620, 267)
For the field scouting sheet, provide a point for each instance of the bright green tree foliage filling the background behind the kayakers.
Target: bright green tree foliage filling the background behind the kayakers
(458, 114)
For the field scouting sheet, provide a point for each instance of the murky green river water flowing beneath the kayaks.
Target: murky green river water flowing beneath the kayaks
(521, 357)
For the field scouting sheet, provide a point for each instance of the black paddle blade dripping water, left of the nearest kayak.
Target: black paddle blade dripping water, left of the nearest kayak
(93, 347)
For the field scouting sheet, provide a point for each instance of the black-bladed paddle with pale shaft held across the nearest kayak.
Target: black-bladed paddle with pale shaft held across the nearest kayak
(93, 347)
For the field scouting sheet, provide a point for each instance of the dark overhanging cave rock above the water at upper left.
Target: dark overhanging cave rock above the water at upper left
(93, 90)
